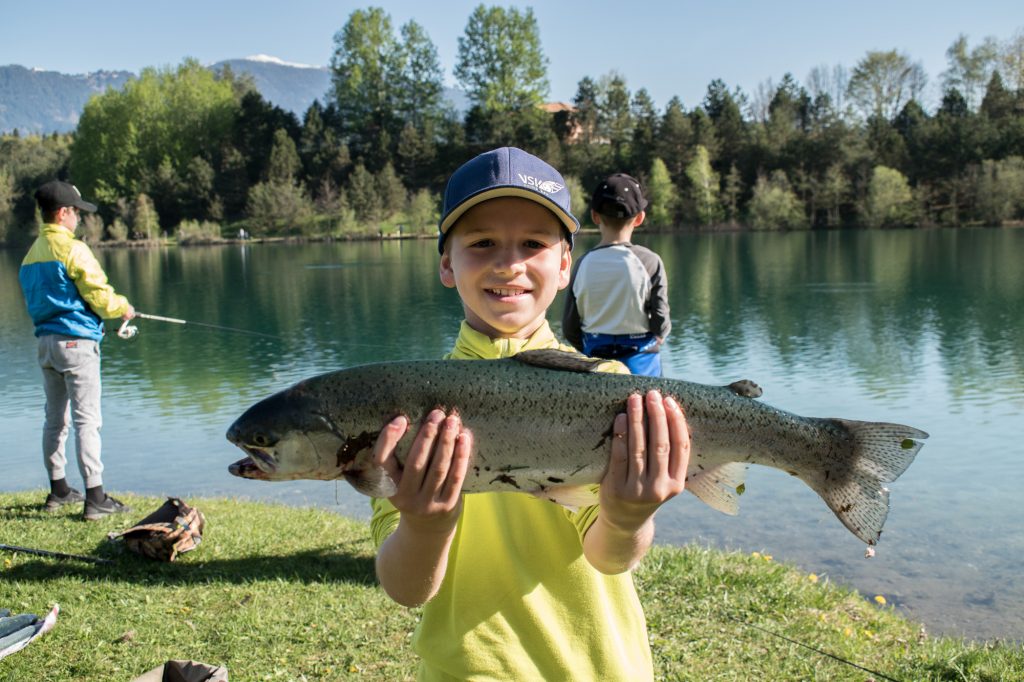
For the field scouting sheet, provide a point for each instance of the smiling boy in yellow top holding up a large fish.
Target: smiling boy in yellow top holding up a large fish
(515, 587)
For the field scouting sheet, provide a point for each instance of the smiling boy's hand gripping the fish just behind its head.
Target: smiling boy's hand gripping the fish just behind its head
(430, 495)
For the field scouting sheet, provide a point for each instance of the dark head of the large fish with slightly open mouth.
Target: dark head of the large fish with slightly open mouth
(288, 437)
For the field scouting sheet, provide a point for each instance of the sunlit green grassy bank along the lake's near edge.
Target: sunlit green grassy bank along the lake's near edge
(280, 593)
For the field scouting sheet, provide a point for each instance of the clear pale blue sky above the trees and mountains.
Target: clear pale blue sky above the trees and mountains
(672, 49)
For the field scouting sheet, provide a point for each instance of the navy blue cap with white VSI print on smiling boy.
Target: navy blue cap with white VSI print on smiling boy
(505, 173)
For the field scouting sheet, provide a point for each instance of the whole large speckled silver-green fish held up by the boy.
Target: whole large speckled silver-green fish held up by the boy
(542, 424)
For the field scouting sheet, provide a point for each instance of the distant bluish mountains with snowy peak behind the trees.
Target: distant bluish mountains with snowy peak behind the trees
(36, 102)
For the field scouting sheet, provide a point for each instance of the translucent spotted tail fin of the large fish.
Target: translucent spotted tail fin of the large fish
(881, 453)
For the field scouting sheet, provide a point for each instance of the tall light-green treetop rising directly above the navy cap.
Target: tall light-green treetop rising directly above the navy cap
(501, 64)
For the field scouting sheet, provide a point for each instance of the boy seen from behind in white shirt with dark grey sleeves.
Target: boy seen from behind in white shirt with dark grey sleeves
(617, 306)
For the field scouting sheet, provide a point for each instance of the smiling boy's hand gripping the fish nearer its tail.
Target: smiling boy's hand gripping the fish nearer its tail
(649, 463)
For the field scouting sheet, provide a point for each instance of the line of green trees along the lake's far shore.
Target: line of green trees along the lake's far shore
(188, 152)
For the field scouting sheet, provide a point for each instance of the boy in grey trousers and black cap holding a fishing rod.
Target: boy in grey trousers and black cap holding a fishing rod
(68, 297)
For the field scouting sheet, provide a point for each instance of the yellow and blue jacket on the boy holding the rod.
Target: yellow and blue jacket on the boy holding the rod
(65, 287)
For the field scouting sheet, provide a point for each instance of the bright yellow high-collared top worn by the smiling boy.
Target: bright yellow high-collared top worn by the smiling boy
(520, 601)
